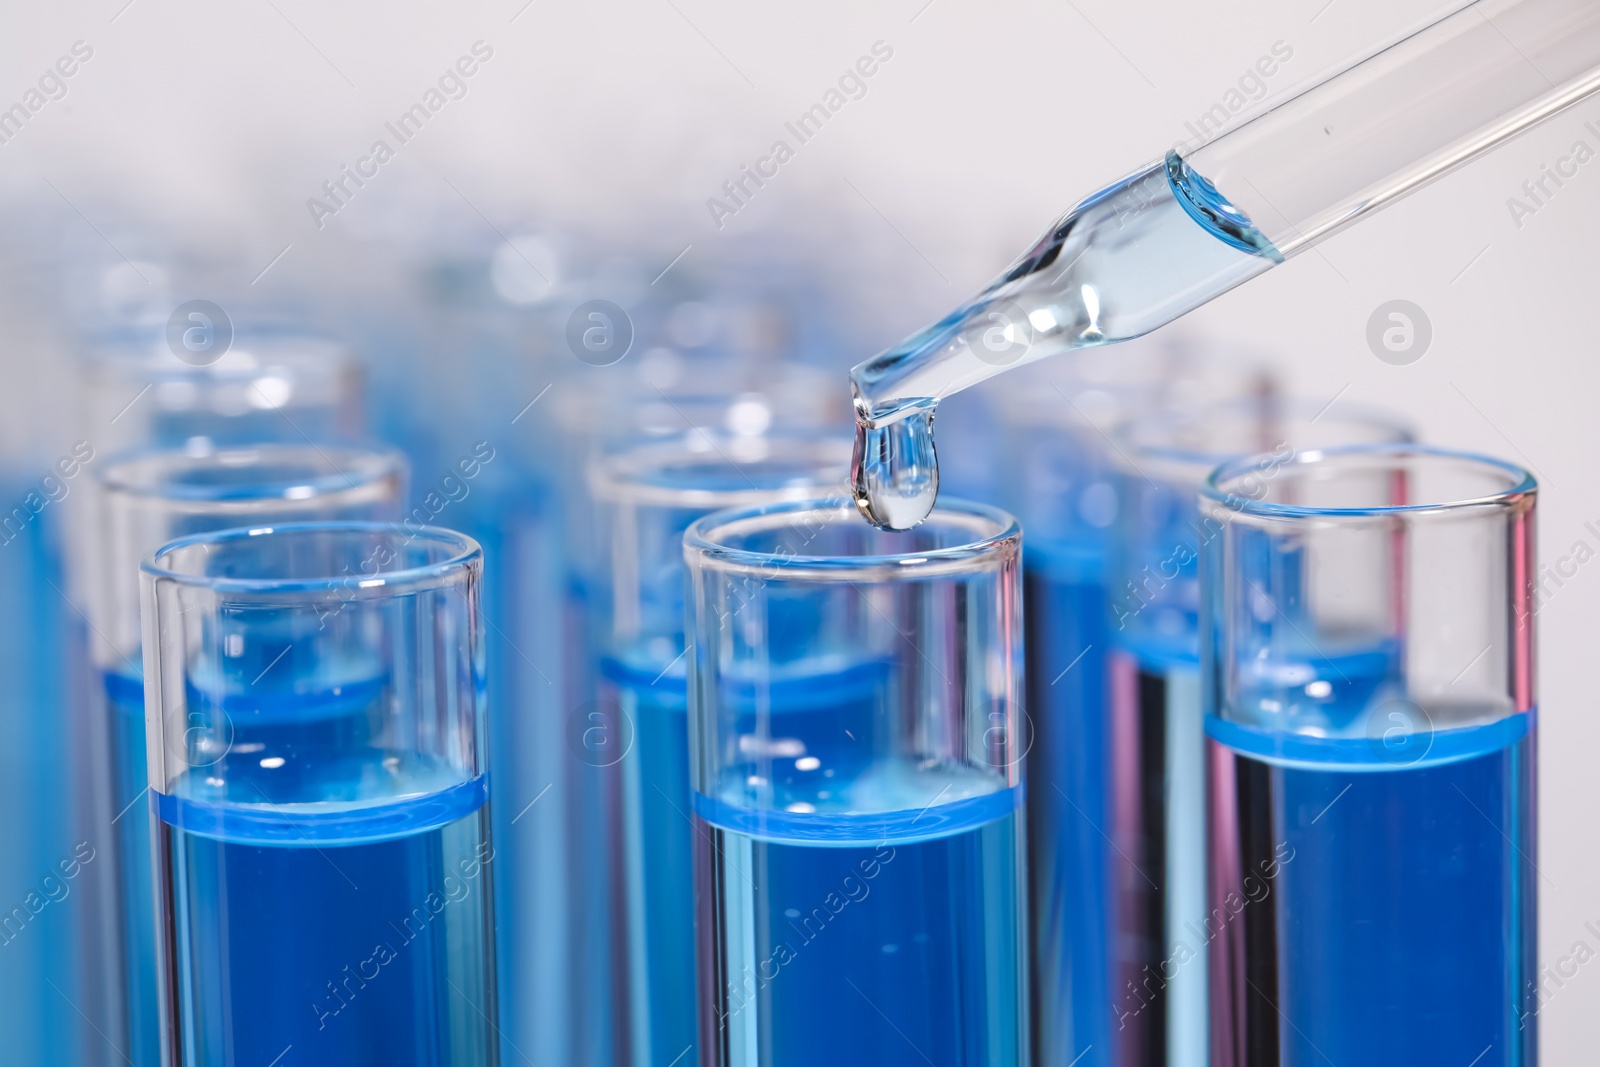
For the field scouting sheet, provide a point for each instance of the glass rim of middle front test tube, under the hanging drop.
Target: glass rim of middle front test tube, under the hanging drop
(996, 540)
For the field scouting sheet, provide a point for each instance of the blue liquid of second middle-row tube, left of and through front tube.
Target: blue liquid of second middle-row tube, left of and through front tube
(660, 833)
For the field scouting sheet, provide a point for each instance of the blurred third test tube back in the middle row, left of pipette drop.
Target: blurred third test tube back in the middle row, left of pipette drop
(572, 943)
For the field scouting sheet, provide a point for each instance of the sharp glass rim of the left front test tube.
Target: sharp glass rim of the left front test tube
(465, 556)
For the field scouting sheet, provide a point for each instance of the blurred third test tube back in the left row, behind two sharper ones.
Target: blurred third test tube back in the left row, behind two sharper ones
(252, 386)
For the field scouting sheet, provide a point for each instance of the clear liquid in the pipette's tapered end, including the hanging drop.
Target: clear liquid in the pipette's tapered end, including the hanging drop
(1126, 262)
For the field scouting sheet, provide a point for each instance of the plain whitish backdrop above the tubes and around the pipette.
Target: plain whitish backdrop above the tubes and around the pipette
(210, 124)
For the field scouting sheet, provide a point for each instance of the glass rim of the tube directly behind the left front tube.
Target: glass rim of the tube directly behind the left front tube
(146, 473)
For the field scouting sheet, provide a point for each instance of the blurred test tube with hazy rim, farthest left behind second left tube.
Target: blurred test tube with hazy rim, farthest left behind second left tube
(254, 386)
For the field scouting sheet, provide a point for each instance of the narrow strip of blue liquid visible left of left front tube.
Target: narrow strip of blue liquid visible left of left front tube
(135, 881)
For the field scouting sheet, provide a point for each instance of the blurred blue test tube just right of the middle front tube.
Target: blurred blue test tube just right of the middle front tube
(1054, 426)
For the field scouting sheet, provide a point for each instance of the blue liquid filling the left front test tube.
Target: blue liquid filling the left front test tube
(322, 898)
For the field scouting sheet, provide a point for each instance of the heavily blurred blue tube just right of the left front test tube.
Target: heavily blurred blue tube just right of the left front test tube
(551, 922)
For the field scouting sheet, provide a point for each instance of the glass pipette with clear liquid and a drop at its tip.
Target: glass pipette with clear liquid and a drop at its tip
(1202, 220)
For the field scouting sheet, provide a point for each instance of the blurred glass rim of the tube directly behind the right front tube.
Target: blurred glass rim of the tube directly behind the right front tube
(1143, 454)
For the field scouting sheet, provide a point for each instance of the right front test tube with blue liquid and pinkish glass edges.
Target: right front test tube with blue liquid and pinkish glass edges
(1370, 717)
